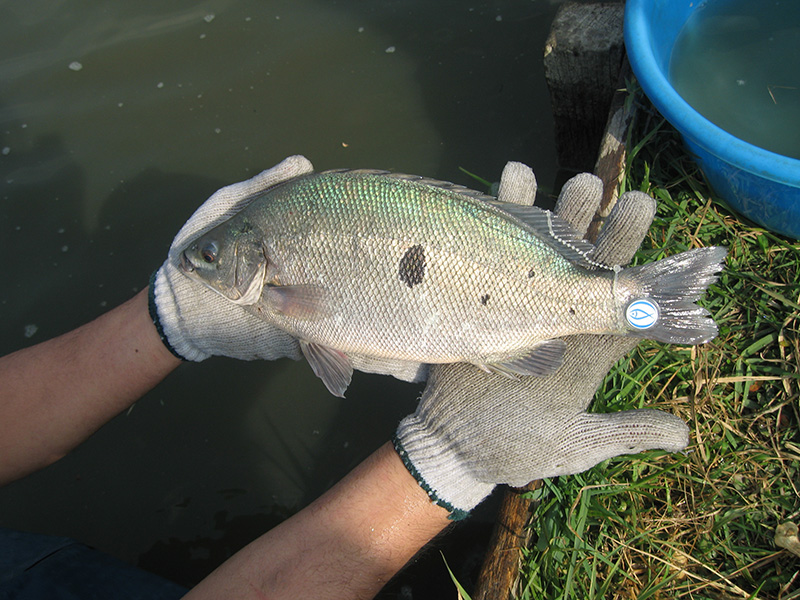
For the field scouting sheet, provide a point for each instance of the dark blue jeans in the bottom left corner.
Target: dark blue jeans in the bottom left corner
(41, 567)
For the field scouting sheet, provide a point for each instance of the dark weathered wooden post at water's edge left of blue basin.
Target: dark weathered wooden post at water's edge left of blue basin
(582, 59)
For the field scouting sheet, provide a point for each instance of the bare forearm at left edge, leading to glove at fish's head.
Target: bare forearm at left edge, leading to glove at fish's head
(56, 394)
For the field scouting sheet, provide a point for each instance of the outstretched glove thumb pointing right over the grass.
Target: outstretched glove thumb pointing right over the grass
(593, 438)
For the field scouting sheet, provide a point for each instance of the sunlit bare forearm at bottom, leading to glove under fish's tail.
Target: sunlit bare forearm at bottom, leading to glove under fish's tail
(347, 544)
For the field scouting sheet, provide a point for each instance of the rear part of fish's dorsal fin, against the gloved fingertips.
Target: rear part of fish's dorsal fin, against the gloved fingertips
(556, 232)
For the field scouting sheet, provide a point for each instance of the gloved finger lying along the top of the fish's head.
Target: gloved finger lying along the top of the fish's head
(227, 201)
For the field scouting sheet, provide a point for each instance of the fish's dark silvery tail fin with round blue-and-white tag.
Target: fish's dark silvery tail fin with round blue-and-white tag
(664, 306)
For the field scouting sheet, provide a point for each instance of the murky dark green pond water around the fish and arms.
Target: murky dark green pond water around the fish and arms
(118, 119)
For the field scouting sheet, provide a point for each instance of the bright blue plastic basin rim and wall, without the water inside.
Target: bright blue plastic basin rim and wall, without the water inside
(759, 184)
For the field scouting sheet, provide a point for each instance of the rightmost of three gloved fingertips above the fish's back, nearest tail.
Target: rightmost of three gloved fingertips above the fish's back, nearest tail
(625, 228)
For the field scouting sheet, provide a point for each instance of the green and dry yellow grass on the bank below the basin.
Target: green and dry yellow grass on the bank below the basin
(701, 524)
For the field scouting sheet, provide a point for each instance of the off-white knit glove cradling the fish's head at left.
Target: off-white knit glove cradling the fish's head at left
(194, 321)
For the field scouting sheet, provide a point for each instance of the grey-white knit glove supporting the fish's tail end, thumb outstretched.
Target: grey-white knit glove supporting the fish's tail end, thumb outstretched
(473, 430)
